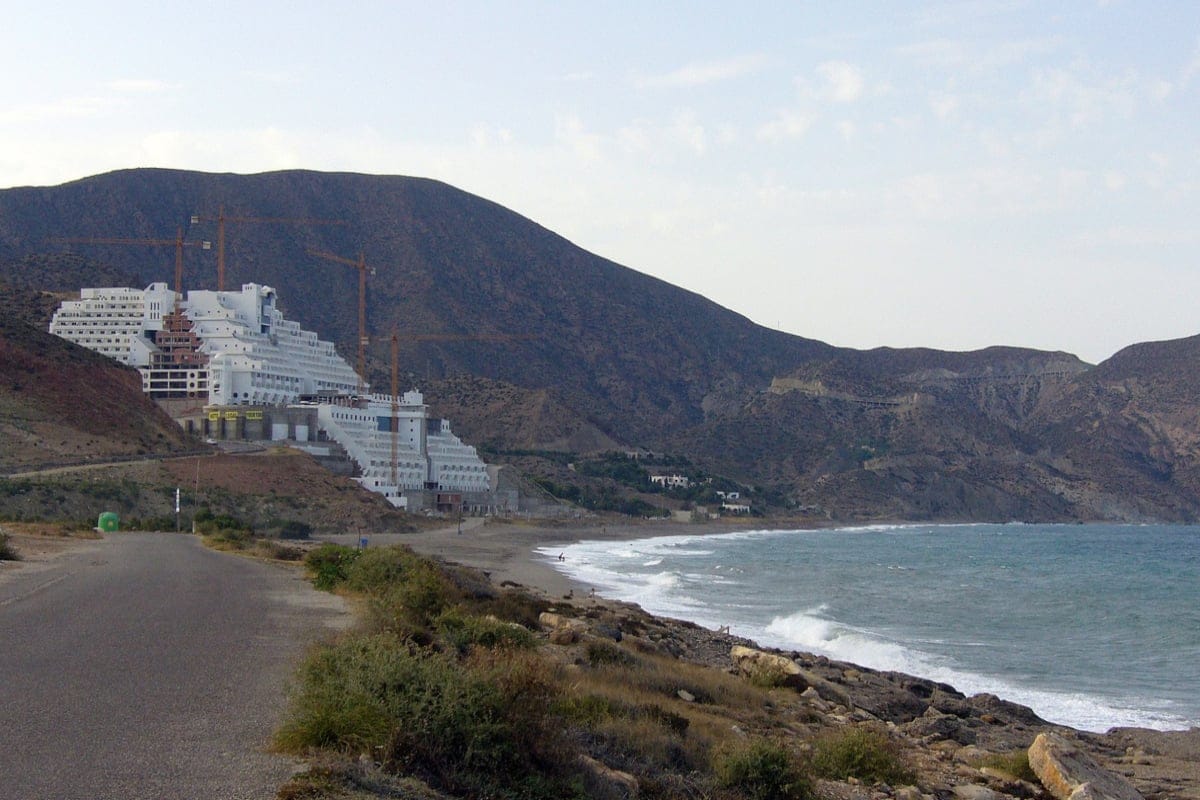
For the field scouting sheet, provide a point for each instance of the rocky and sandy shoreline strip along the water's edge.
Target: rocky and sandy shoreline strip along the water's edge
(950, 738)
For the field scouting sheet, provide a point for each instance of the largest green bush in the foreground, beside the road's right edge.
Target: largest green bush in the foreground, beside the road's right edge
(477, 729)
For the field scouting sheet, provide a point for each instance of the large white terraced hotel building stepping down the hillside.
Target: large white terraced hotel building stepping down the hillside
(236, 350)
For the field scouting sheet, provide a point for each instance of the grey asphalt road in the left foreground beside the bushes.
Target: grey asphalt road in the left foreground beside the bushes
(147, 666)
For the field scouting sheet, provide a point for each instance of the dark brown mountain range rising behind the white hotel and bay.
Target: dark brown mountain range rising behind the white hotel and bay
(602, 357)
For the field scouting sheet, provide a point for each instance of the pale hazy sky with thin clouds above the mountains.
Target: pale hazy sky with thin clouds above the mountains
(950, 176)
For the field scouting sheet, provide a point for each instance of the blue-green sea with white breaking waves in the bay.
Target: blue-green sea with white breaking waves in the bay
(1094, 627)
